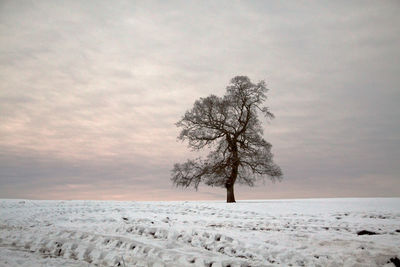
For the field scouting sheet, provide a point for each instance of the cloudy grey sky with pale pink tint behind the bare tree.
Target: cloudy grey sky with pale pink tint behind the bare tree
(90, 92)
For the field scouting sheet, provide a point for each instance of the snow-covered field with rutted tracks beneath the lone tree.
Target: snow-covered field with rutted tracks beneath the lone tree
(310, 232)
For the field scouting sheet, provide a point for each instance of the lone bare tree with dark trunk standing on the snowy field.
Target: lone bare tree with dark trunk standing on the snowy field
(230, 128)
